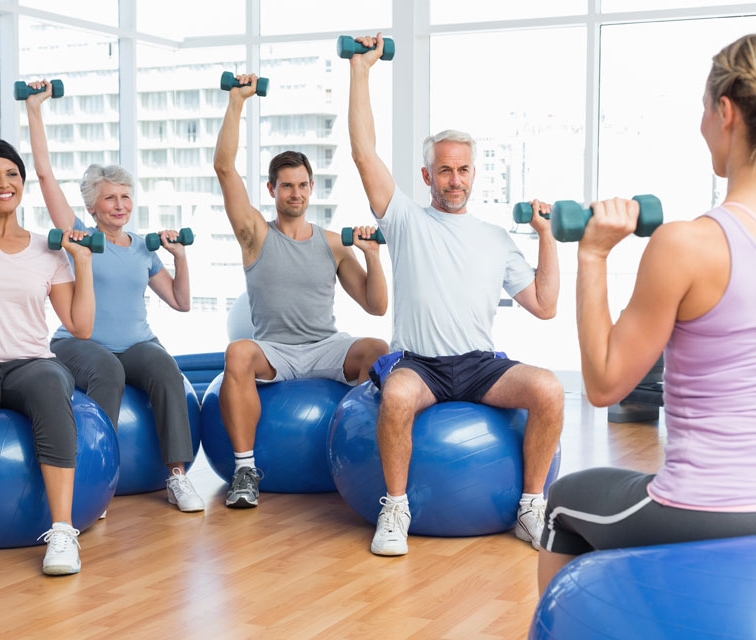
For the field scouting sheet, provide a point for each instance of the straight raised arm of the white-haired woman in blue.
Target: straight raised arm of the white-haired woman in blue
(60, 211)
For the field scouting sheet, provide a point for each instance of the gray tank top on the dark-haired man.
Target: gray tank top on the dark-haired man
(291, 288)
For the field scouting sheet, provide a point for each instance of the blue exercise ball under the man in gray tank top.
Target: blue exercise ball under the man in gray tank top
(290, 444)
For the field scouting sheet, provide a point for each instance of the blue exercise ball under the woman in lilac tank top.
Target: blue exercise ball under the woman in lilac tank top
(683, 591)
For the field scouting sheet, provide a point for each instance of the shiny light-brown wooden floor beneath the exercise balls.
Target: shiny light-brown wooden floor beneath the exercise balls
(298, 566)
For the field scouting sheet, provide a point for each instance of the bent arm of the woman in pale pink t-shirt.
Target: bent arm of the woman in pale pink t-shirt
(74, 301)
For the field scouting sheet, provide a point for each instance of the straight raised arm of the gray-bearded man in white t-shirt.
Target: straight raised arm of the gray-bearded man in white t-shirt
(376, 177)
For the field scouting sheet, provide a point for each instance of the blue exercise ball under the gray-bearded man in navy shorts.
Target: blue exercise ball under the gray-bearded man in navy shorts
(463, 454)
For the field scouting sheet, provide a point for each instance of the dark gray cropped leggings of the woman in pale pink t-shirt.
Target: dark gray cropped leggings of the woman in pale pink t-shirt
(41, 389)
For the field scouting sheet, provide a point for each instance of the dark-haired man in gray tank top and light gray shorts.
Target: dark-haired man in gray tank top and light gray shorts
(291, 267)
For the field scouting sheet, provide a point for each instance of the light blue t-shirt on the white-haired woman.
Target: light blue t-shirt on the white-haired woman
(121, 275)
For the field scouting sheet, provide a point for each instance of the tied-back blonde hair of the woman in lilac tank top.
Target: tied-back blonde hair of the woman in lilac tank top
(733, 75)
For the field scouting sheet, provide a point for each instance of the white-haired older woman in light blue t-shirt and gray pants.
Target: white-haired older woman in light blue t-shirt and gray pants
(123, 349)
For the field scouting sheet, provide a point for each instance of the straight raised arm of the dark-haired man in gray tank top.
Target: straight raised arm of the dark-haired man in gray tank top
(247, 222)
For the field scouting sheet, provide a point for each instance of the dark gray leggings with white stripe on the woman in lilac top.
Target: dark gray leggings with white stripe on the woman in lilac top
(609, 508)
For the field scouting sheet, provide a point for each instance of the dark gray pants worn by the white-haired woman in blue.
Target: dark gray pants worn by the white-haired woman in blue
(147, 366)
